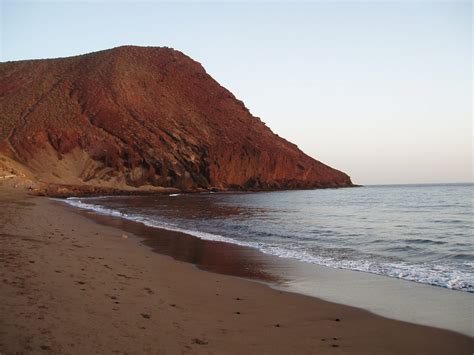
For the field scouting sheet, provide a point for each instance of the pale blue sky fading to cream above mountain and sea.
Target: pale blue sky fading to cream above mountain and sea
(381, 90)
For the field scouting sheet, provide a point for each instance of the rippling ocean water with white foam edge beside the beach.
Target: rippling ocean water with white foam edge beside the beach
(421, 233)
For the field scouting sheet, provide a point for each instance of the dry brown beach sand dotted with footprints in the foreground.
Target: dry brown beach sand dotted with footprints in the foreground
(72, 286)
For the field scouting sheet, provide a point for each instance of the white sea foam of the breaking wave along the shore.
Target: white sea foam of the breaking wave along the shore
(440, 275)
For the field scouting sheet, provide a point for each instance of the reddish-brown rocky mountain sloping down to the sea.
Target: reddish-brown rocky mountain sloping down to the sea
(142, 117)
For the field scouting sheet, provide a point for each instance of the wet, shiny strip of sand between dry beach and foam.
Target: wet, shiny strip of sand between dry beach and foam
(446, 308)
